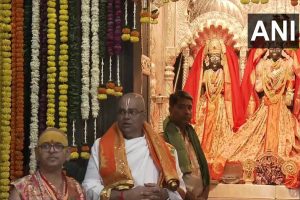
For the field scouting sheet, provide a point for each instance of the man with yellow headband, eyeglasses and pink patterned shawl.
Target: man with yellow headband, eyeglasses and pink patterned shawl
(49, 181)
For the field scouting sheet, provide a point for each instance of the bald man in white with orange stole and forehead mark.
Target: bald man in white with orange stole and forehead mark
(131, 161)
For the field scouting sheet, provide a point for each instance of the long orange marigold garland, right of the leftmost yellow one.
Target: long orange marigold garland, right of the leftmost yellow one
(17, 123)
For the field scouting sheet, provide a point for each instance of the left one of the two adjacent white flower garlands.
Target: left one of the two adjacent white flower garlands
(85, 58)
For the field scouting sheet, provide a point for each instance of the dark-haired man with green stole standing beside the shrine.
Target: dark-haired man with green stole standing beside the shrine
(179, 133)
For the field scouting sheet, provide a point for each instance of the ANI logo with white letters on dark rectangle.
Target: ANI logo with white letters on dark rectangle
(273, 30)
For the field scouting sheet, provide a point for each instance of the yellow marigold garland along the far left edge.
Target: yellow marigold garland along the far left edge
(5, 67)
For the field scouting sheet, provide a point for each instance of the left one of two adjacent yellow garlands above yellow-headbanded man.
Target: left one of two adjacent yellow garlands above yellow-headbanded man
(51, 67)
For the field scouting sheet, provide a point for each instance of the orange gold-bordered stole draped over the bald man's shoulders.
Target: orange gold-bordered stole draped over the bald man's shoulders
(114, 168)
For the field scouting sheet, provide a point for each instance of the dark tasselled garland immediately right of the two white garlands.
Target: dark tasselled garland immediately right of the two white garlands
(102, 48)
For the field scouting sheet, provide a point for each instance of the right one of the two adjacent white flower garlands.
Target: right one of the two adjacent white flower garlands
(95, 58)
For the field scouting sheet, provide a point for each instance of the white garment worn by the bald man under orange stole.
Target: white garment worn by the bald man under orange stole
(140, 163)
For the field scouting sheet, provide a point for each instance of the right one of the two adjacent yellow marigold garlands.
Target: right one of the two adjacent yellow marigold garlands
(63, 65)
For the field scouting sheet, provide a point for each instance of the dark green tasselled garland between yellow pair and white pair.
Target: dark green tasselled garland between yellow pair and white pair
(74, 77)
